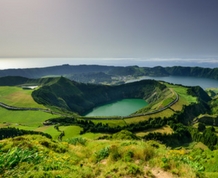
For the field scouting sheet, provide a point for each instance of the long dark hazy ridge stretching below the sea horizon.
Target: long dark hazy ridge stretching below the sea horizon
(78, 71)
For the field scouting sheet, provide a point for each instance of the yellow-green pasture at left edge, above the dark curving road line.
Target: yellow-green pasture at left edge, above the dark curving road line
(16, 96)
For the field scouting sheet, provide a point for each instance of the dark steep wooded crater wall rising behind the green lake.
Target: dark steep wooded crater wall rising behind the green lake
(81, 98)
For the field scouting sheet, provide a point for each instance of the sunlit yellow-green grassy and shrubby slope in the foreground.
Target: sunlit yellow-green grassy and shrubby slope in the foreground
(38, 156)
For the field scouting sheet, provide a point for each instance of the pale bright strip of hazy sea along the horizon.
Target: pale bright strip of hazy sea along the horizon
(14, 63)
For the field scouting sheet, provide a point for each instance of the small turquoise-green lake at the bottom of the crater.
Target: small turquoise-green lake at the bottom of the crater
(120, 108)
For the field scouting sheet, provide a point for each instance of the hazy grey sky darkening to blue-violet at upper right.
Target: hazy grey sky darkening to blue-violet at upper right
(142, 29)
